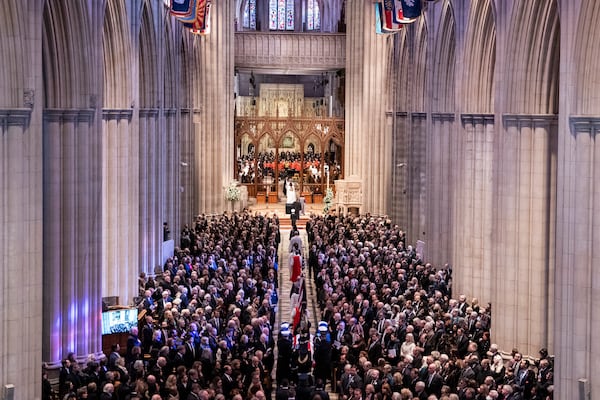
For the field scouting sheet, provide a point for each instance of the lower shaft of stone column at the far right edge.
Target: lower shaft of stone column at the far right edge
(578, 257)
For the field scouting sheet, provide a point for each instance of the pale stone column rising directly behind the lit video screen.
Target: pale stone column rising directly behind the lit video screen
(120, 205)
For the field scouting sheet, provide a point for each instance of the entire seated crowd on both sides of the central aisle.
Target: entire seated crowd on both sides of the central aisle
(390, 327)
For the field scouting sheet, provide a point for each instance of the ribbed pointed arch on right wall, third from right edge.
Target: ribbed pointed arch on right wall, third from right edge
(480, 58)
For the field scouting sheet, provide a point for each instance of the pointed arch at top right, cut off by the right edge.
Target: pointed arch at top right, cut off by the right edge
(587, 53)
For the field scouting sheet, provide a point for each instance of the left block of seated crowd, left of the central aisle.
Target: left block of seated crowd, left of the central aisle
(208, 329)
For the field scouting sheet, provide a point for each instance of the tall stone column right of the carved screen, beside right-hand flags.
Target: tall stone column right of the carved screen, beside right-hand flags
(367, 133)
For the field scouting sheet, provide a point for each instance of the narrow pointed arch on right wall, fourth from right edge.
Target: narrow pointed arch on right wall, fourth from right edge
(444, 67)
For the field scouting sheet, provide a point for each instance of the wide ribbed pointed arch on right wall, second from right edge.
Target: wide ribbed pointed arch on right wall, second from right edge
(535, 33)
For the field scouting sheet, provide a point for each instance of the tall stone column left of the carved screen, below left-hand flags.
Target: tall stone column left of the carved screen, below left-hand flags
(214, 132)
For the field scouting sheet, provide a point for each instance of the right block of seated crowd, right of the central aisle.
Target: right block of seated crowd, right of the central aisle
(394, 328)
